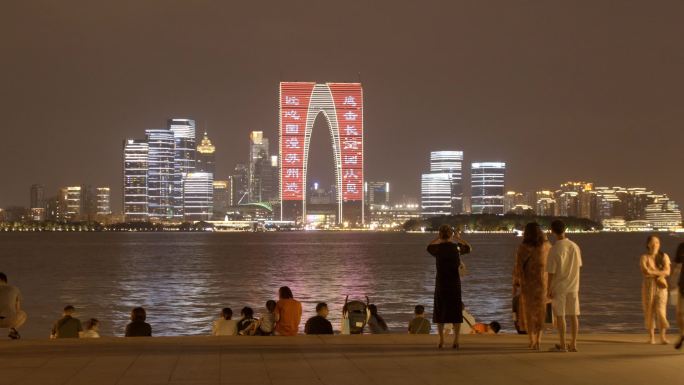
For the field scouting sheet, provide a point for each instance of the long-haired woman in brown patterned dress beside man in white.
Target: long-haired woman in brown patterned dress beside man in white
(529, 277)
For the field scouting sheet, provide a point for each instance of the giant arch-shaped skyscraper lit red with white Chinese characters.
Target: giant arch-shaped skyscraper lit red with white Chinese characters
(342, 106)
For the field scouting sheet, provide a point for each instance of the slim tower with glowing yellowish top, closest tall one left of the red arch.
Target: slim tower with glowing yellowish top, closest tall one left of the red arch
(259, 166)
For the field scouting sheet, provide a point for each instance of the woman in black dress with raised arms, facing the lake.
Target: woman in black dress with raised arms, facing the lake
(447, 249)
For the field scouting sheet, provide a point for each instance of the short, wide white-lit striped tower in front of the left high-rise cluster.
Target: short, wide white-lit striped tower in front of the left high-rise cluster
(198, 193)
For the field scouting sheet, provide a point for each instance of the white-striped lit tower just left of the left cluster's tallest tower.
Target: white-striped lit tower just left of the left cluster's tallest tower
(161, 174)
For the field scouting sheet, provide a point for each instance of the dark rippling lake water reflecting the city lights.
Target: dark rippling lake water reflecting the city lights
(184, 279)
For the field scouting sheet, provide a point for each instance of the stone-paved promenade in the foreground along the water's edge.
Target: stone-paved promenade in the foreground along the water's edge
(335, 360)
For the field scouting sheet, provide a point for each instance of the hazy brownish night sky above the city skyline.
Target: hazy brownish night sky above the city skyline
(589, 90)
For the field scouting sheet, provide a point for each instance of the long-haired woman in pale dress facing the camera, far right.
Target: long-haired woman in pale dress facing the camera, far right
(655, 267)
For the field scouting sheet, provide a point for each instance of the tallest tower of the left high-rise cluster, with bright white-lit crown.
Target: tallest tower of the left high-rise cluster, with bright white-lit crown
(185, 150)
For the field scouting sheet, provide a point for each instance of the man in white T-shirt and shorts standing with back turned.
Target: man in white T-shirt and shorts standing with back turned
(563, 265)
